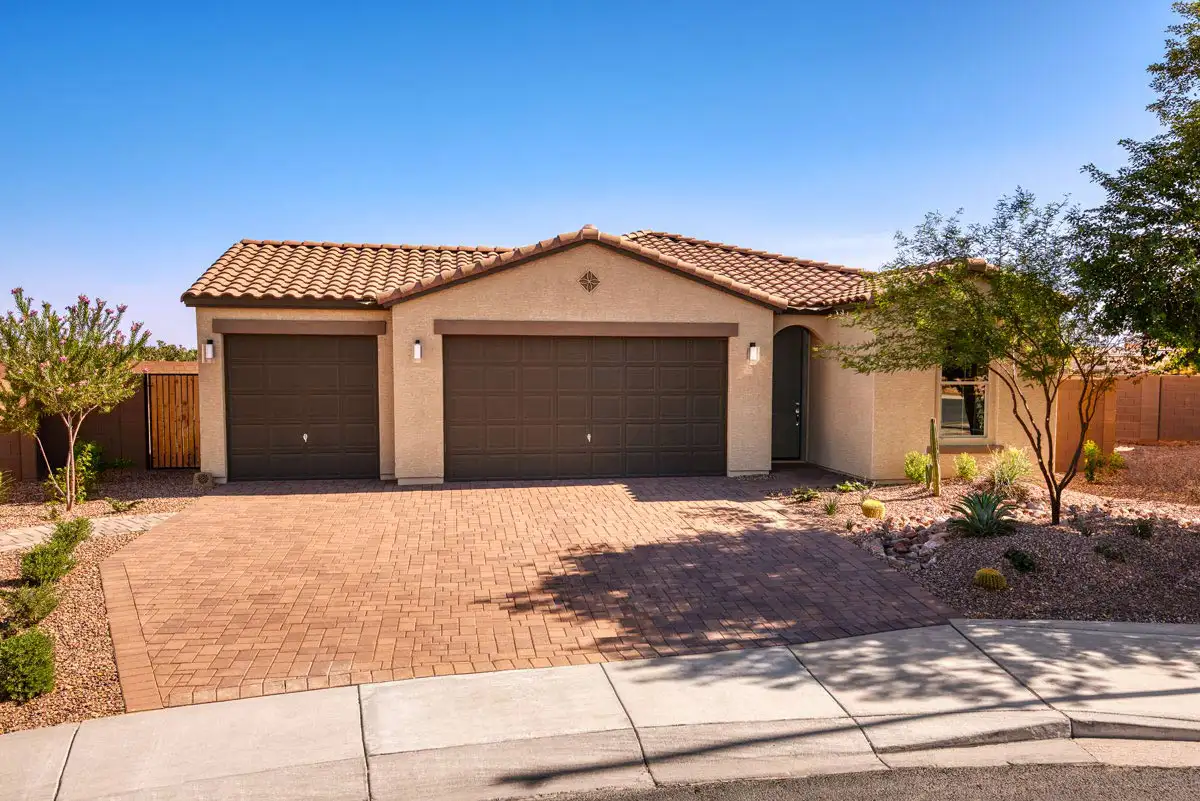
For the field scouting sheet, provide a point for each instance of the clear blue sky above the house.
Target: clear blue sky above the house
(137, 144)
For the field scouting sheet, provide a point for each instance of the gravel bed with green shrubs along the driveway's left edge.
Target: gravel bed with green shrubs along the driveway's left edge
(86, 677)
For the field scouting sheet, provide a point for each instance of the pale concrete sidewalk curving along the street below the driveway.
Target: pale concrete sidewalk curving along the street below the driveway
(974, 694)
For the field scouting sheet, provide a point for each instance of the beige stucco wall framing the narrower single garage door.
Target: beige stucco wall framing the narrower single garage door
(212, 381)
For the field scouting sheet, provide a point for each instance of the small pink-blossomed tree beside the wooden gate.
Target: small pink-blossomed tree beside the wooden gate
(64, 366)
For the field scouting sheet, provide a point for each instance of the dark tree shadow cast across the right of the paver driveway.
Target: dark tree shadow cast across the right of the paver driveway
(722, 591)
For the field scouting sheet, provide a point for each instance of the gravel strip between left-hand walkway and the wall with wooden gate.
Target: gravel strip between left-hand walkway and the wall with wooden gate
(160, 491)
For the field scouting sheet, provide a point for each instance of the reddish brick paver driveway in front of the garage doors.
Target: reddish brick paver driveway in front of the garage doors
(272, 588)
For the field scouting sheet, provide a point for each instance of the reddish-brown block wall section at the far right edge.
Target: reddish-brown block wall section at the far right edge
(1159, 408)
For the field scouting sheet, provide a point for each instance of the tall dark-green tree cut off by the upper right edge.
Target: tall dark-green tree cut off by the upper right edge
(1143, 245)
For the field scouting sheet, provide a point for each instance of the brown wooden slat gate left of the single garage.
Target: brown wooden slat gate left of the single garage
(173, 421)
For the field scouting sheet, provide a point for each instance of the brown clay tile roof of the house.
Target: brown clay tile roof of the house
(273, 272)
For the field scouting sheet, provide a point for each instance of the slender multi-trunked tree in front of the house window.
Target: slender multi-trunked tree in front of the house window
(1001, 294)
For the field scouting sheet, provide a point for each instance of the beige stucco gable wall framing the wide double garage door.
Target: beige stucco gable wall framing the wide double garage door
(548, 290)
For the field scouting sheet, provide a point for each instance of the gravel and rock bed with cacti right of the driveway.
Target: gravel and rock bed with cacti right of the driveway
(1097, 565)
